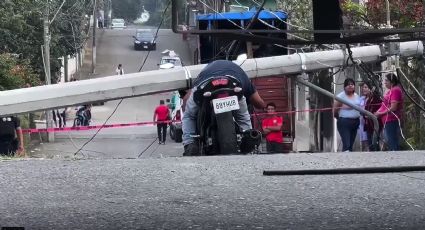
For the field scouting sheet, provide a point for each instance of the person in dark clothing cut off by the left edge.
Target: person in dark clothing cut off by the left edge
(11, 137)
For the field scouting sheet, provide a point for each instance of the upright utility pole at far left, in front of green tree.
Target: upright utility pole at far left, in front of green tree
(48, 79)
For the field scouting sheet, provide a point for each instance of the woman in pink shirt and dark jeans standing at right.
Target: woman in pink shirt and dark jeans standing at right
(390, 111)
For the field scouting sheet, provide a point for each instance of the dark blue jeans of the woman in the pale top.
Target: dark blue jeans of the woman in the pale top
(347, 128)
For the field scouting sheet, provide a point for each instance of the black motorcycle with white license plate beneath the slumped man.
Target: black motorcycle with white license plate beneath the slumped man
(217, 132)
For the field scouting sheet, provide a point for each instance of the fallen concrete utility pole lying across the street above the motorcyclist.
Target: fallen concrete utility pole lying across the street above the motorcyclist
(151, 82)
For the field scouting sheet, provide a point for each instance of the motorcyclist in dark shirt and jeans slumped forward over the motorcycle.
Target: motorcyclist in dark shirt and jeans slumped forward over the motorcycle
(242, 116)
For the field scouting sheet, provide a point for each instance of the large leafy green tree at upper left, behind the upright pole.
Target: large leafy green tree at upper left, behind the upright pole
(21, 30)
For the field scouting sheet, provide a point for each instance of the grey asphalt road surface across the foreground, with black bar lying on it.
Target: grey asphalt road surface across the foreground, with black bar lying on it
(212, 193)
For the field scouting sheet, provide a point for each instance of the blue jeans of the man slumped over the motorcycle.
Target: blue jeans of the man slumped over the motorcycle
(241, 116)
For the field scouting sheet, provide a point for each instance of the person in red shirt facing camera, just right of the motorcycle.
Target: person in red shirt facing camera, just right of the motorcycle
(272, 128)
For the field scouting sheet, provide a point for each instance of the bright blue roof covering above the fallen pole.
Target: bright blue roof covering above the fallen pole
(243, 15)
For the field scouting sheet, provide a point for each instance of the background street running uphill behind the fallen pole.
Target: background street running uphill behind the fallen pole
(115, 47)
